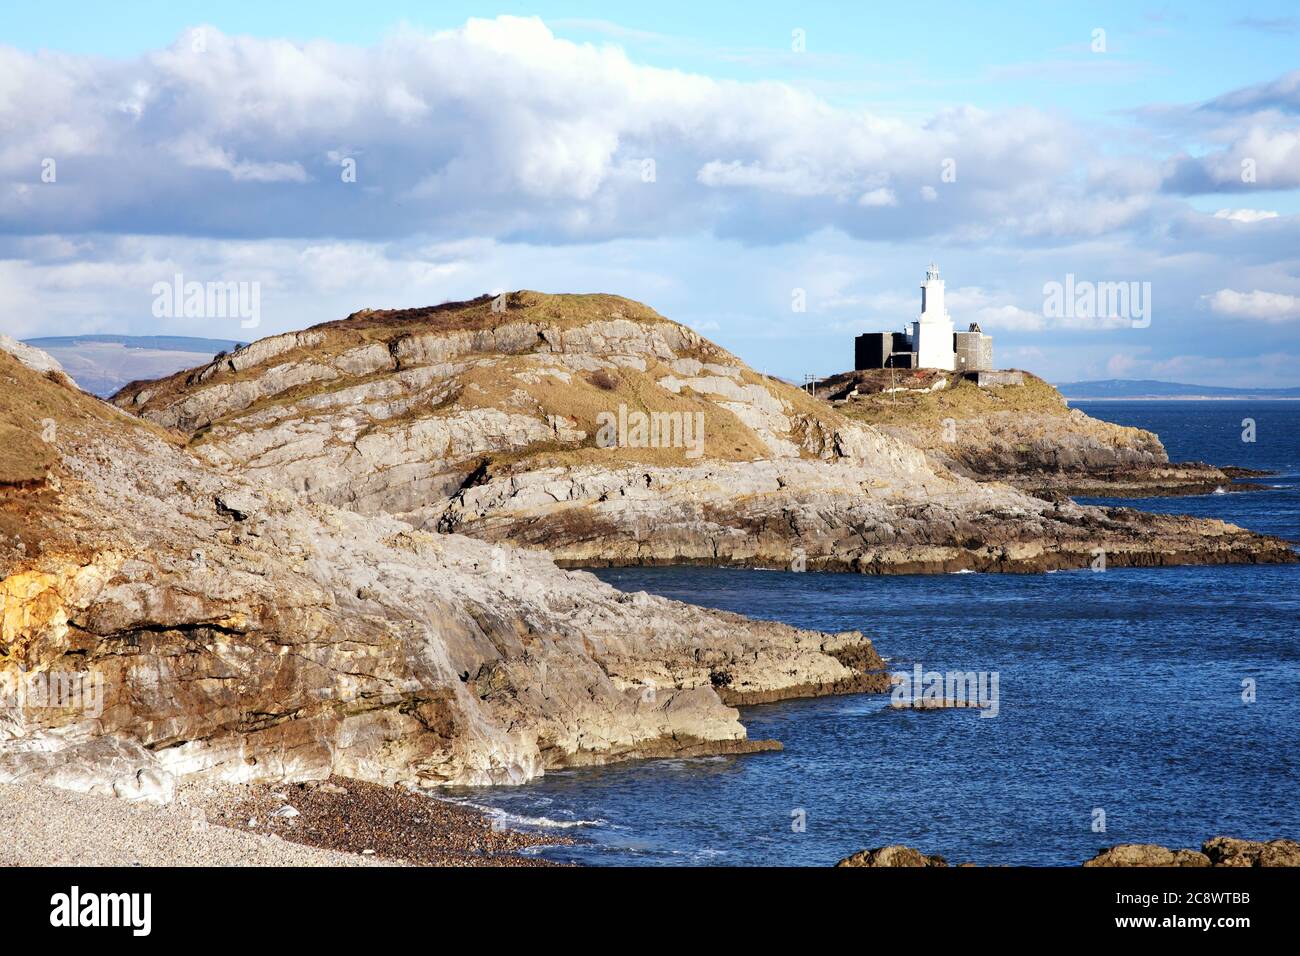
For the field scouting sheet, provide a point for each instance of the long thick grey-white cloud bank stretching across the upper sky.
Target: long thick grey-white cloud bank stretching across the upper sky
(500, 128)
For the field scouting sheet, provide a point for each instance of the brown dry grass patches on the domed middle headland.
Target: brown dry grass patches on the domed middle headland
(538, 384)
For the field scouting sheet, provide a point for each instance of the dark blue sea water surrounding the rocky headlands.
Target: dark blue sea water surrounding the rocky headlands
(1120, 693)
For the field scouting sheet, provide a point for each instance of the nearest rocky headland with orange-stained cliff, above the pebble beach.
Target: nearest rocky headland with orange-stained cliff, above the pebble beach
(163, 618)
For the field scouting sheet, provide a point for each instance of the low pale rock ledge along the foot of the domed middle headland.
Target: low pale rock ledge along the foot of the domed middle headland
(825, 517)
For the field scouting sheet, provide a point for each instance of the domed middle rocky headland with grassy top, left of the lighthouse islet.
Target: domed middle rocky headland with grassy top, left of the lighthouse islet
(597, 430)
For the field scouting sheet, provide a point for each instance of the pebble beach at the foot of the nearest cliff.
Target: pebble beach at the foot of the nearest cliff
(339, 823)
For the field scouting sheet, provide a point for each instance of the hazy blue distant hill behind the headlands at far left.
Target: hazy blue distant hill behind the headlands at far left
(102, 365)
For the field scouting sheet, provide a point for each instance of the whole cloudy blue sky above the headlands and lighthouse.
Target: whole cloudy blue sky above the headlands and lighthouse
(777, 176)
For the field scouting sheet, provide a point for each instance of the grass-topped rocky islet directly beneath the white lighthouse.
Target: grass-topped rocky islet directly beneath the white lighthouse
(1024, 435)
